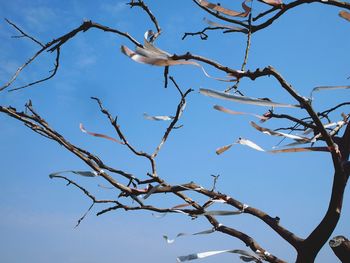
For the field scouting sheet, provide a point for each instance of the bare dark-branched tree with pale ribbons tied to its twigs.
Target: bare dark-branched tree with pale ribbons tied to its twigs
(308, 126)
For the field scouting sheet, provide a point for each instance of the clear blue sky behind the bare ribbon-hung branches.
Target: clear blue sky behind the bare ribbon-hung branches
(308, 46)
